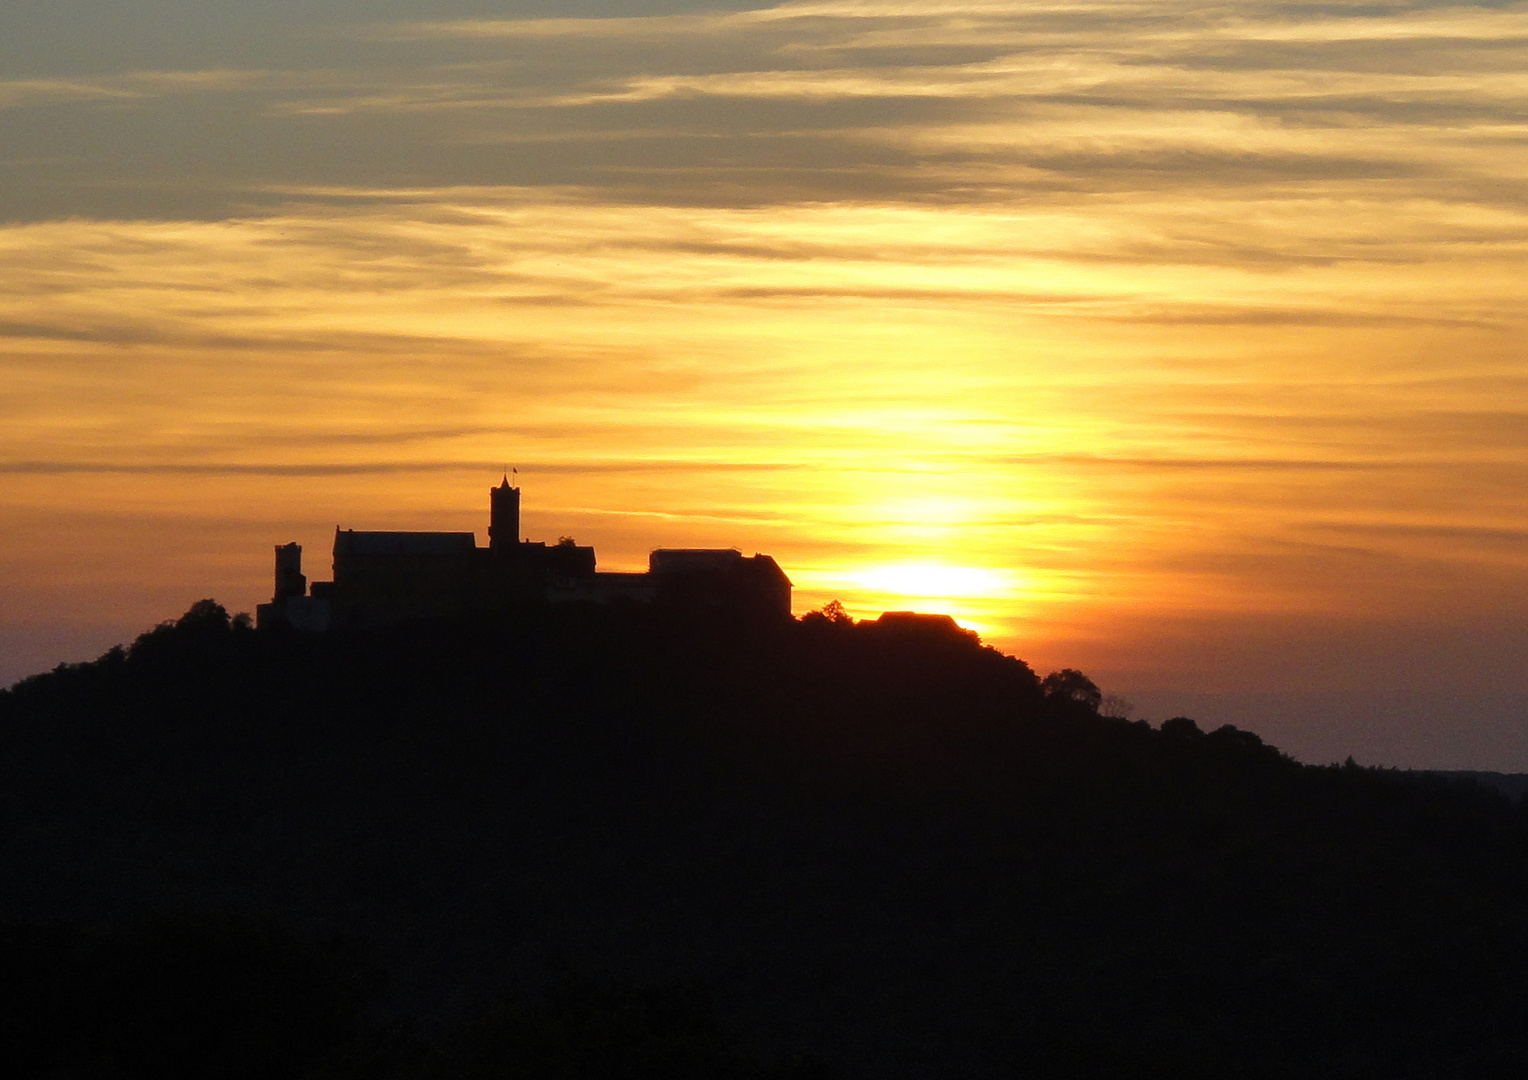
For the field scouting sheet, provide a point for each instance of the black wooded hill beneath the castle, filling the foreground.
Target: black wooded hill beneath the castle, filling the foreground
(601, 844)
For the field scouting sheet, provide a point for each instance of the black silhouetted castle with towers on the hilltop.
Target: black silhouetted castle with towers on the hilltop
(384, 578)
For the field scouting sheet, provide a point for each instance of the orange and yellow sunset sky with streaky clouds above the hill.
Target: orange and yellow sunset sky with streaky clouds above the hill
(1179, 343)
